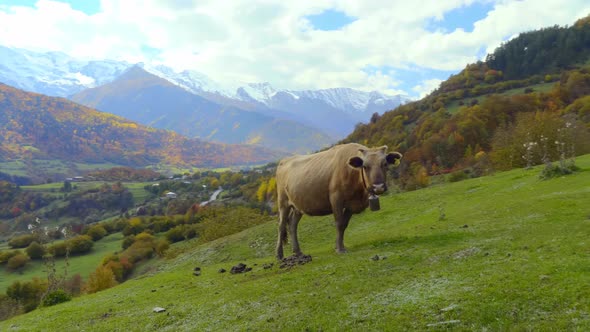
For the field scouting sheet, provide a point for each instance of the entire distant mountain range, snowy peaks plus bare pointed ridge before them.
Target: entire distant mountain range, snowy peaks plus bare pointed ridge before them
(195, 105)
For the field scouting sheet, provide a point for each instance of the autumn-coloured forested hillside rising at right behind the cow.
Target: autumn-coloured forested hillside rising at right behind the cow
(510, 111)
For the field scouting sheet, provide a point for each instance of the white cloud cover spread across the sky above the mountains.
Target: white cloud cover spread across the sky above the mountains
(272, 41)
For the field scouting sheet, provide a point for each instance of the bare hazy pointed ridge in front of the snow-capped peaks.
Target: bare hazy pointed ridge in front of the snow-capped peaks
(141, 96)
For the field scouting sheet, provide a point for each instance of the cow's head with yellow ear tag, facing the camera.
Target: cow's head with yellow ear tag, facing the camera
(373, 166)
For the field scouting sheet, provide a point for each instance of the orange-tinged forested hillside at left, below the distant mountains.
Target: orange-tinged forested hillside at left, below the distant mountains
(37, 126)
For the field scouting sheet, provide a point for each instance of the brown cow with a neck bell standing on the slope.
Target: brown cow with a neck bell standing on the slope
(336, 181)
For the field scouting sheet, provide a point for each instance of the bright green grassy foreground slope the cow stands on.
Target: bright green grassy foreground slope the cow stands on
(512, 253)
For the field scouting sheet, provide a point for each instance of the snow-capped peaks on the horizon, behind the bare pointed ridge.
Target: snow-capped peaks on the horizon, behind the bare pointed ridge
(335, 111)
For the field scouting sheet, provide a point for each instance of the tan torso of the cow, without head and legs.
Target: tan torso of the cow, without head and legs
(307, 181)
